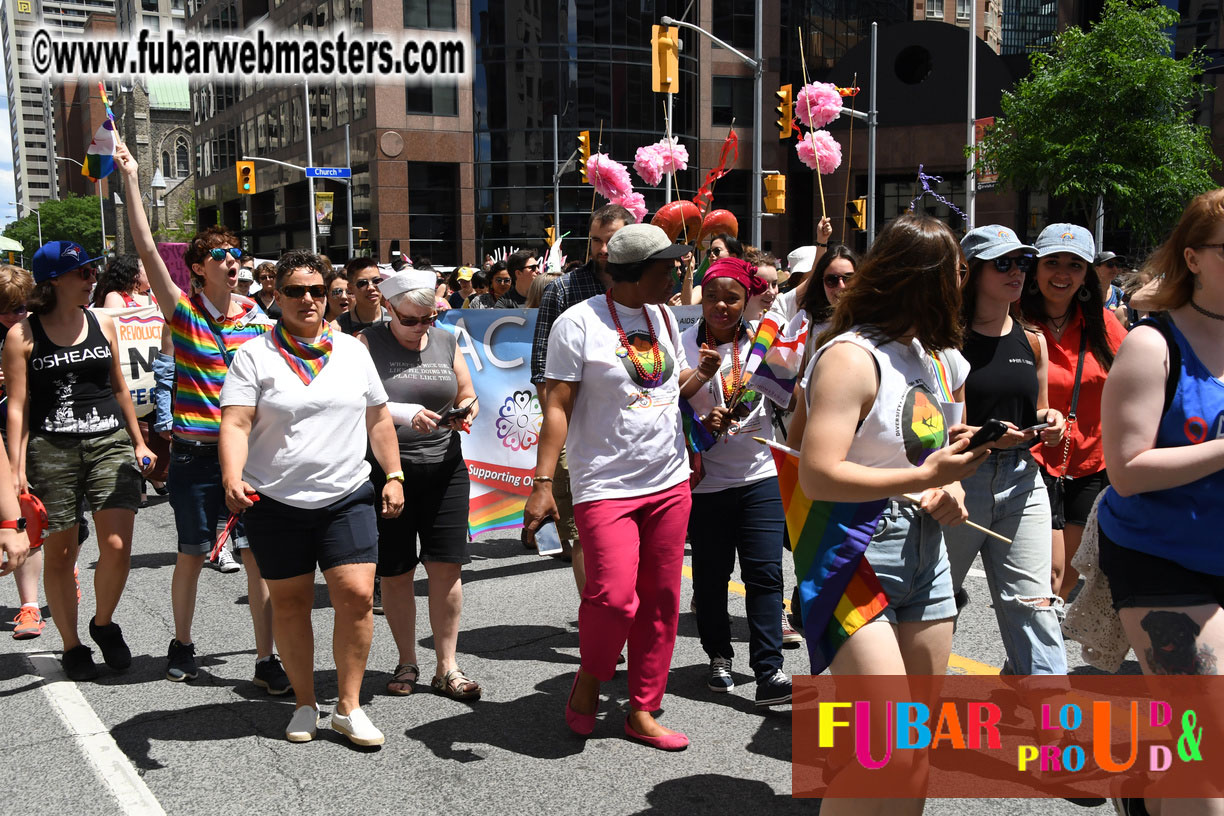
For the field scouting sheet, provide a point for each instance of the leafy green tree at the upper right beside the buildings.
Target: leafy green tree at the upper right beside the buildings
(1110, 113)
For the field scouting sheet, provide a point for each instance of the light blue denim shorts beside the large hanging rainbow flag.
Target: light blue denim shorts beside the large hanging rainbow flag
(909, 557)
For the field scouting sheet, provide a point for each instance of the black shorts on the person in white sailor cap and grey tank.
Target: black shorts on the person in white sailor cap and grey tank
(435, 512)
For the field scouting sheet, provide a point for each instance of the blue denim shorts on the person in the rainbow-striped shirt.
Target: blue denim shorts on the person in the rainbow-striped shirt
(196, 496)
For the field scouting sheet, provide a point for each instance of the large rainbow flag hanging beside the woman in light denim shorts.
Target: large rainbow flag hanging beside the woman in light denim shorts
(839, 590)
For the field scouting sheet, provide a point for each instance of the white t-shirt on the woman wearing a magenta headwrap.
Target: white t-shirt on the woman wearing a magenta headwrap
(736, 459)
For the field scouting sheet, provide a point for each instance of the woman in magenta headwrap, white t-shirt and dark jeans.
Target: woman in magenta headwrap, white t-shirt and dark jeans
(737, 511)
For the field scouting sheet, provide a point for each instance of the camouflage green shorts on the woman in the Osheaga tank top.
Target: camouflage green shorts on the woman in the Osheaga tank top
(63, 470)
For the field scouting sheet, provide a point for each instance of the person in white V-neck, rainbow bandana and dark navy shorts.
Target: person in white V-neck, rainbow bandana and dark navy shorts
(298, 408)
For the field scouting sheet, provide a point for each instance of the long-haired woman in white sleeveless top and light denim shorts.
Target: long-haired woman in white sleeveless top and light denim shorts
(881, 390)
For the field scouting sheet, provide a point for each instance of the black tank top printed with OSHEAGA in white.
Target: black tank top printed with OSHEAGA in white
(70, 386)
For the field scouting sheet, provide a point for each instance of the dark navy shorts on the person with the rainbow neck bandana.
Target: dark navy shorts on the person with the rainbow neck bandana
(289, 541)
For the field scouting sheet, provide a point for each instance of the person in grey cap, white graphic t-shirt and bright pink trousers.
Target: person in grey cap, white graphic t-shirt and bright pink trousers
(614, 391)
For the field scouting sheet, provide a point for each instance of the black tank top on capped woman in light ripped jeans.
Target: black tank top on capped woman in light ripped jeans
(1003, 379)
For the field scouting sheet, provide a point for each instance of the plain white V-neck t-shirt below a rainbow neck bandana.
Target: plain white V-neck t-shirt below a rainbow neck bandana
(308, 445)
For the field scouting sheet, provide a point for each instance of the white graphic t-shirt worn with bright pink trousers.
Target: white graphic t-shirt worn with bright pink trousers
(625, 440)
